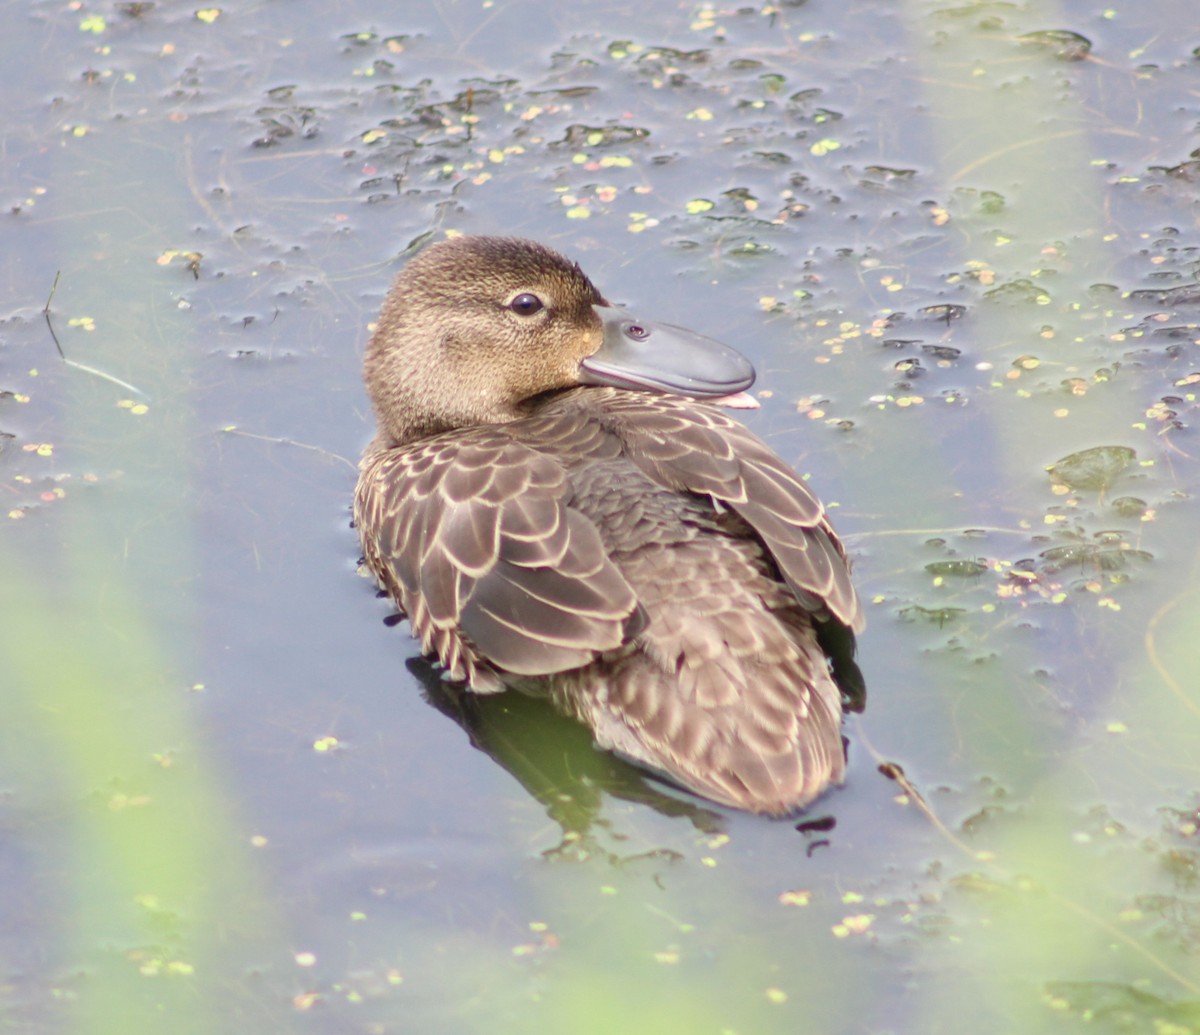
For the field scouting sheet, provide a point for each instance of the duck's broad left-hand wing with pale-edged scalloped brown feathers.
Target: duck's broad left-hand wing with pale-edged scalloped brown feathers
(470, 535)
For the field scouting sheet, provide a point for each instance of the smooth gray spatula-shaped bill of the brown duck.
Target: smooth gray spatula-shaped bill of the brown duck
(662, 357)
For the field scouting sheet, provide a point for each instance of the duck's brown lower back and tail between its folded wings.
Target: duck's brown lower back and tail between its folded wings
(727, 687)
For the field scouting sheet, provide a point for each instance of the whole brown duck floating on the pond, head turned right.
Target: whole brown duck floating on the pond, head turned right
(560, 502)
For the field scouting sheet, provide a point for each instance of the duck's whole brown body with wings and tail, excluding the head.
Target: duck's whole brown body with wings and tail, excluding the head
(662, 579)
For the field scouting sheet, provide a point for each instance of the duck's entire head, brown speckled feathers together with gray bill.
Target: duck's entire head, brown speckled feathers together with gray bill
(477, 330)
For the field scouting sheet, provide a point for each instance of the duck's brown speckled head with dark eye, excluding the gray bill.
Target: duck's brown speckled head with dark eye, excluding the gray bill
(472, 328)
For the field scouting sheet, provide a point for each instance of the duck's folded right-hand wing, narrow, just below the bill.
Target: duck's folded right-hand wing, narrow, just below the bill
(688, 446)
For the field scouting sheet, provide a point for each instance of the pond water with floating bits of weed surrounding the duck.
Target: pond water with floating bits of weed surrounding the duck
(961, 243)
